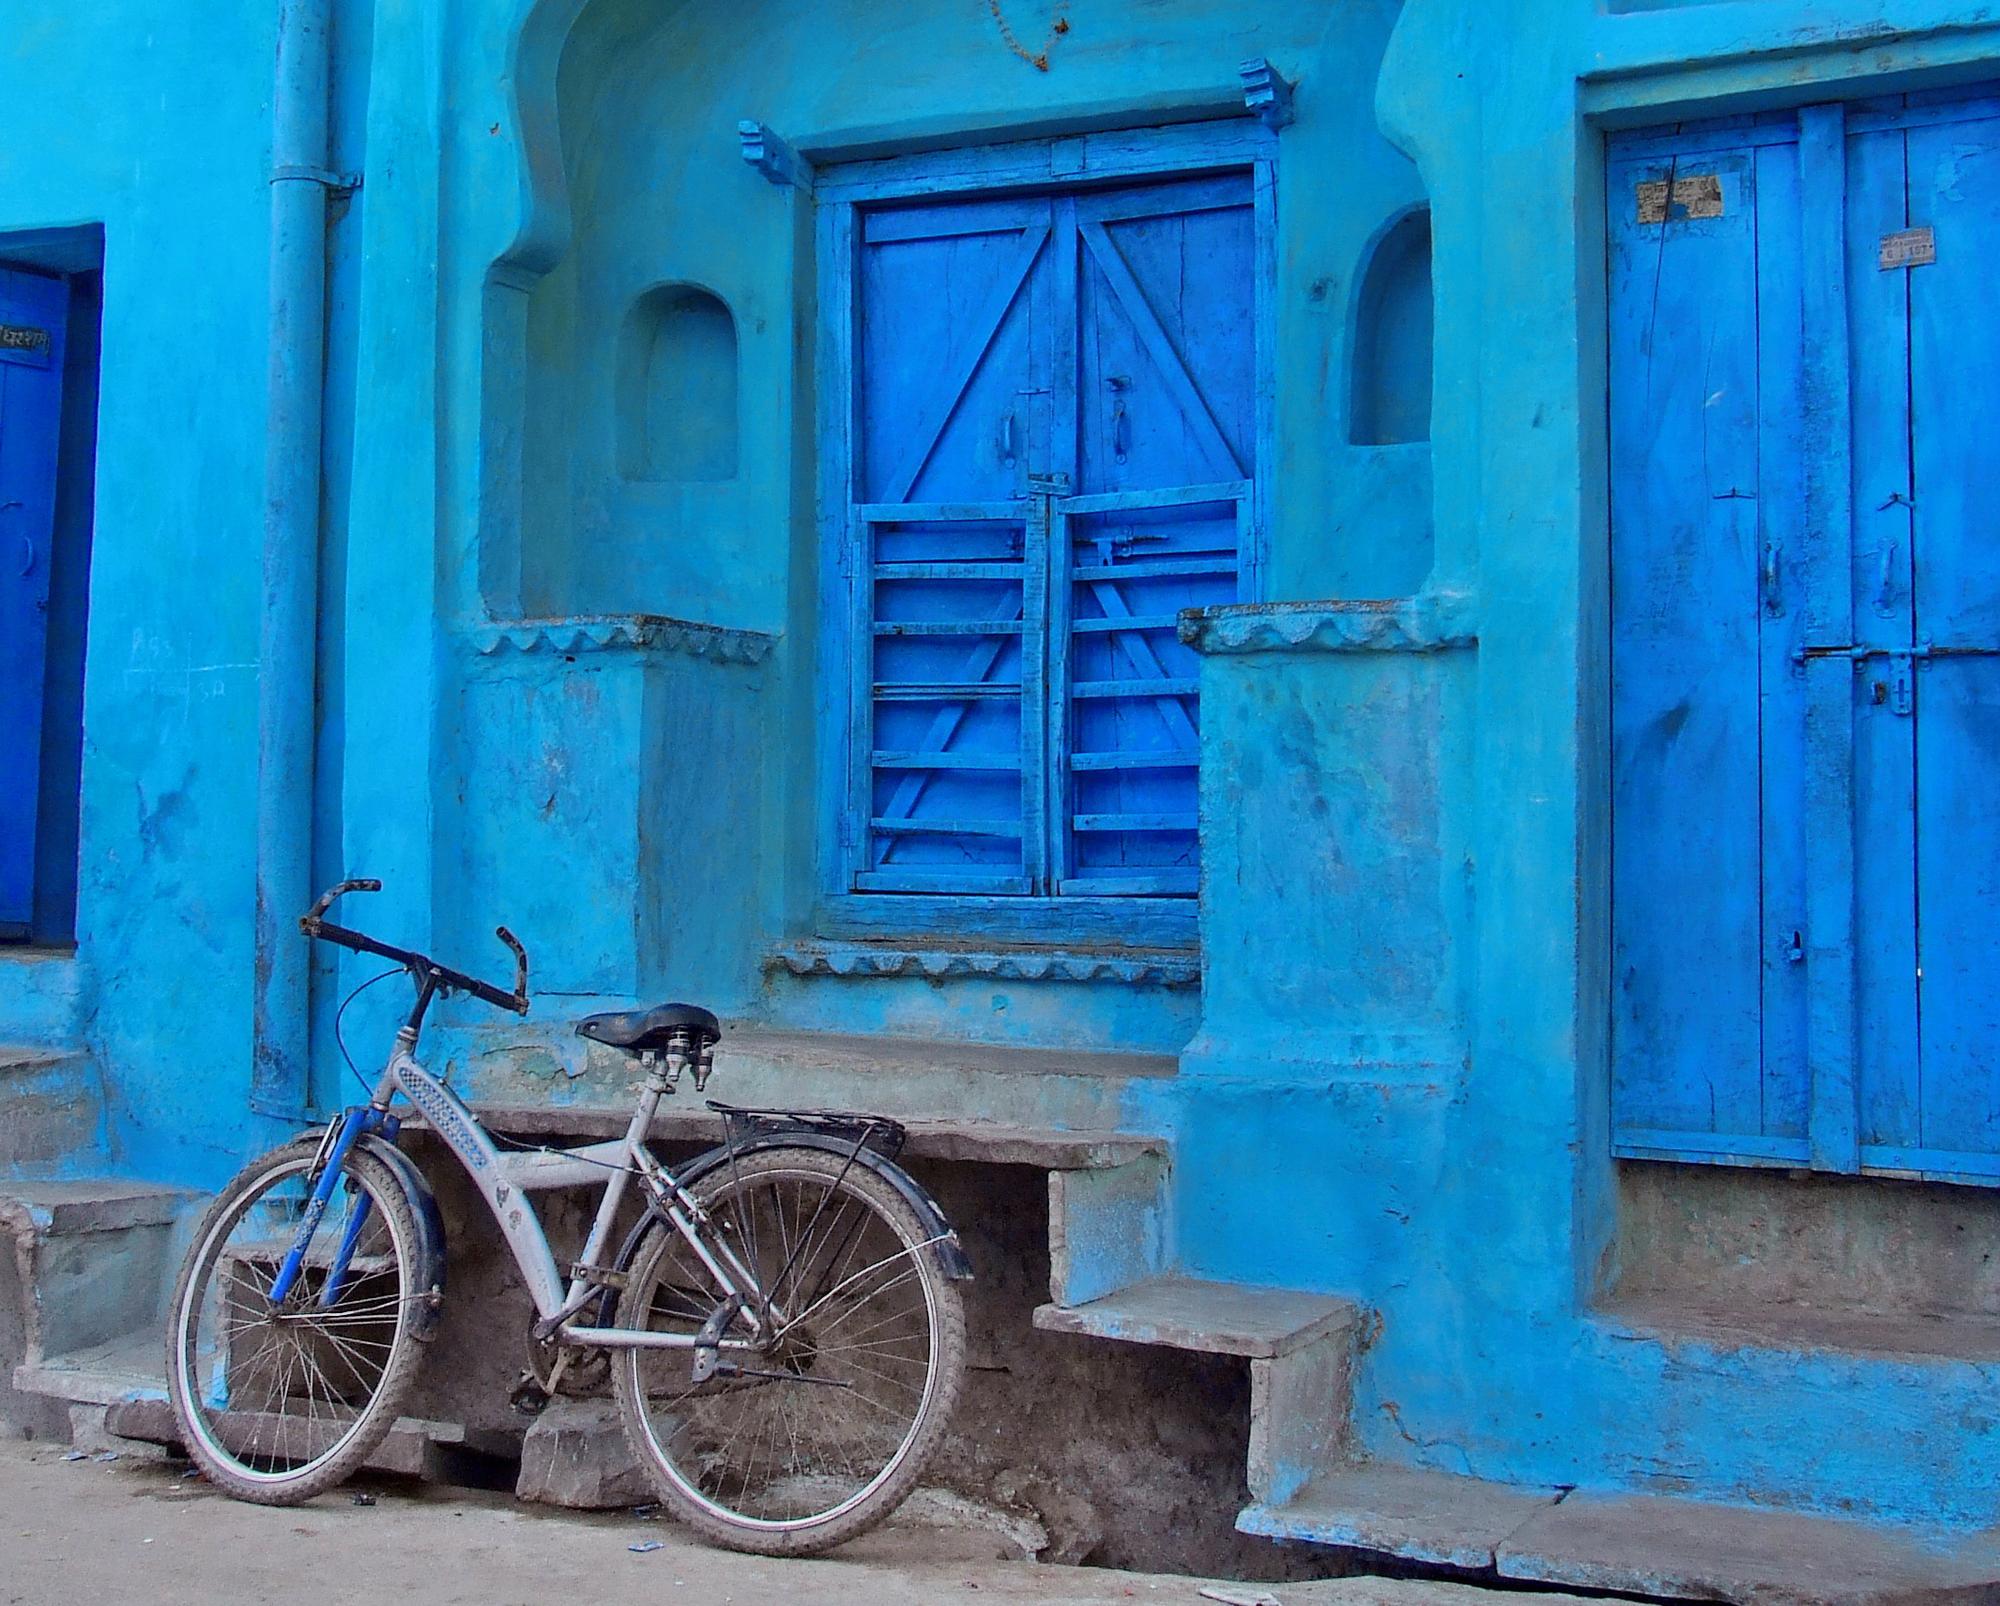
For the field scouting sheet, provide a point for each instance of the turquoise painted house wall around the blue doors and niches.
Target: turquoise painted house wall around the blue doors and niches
(1393, 1075)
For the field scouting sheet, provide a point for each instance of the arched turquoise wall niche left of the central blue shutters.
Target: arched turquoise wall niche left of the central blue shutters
(677, 387)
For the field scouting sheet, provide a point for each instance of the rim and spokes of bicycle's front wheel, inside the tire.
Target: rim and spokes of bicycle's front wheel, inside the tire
(279, 1393)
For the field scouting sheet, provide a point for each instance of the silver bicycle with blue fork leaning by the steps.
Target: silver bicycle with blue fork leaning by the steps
(783, 1323)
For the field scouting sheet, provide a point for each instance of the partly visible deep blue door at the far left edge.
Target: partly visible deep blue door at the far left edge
(33, 313)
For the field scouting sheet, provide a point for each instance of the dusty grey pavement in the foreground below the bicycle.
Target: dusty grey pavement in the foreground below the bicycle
(87, 1533)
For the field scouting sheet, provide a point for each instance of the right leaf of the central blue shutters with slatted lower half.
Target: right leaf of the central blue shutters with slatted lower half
(1167, 461)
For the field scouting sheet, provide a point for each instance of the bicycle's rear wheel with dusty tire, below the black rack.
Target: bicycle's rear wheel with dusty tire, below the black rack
(699, 1443)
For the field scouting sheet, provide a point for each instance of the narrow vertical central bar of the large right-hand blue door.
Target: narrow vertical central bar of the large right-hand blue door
(1835, 1121)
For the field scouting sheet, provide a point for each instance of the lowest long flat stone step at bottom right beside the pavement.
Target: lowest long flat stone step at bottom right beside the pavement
(1637, 1545)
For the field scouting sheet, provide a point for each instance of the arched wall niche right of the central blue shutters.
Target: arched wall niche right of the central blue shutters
(1393, 331)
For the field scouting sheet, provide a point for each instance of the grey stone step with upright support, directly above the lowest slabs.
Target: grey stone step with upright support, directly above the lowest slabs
(1301, 1351)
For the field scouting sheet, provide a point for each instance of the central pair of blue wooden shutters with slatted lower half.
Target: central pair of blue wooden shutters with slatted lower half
(1055, 453)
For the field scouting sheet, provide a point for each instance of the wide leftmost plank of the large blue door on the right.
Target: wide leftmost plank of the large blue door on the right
(1691, 615)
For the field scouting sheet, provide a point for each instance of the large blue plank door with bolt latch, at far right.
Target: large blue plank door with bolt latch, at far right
(1807, 639)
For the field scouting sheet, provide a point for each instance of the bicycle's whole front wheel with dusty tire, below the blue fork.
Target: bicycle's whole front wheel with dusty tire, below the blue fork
(241, 1421)
